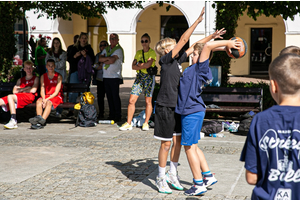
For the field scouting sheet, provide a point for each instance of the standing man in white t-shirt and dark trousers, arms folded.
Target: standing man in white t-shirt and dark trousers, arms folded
(112, 58)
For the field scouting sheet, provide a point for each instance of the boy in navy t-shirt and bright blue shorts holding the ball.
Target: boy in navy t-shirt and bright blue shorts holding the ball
(192, 110)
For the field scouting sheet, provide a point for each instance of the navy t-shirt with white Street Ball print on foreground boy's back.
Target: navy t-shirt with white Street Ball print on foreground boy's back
(272, 151)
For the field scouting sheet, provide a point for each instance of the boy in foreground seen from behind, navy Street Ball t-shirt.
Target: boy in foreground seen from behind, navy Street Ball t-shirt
(272, 149)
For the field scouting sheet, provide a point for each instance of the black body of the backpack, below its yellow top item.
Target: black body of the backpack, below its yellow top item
(87, 116)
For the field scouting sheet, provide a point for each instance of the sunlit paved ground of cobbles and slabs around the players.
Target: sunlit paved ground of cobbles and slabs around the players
(101, 162)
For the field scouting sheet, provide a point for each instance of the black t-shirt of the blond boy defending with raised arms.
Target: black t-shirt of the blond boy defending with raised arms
(169, 79)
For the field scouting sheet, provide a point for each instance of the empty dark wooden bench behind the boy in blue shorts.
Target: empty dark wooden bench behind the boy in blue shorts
(233, 99)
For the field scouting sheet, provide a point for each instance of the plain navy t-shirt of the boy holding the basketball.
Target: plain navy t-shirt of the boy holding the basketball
(191, 82)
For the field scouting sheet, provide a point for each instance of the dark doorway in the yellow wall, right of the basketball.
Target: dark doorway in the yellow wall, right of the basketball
(261, 50)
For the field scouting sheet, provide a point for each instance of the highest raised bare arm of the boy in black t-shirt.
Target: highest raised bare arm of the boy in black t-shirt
(186, 35)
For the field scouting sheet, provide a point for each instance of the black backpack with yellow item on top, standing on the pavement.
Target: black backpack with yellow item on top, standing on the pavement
(87, 115)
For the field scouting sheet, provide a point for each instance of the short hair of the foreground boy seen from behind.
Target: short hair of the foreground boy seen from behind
(285, 70)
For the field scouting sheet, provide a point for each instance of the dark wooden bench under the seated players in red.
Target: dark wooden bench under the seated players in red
(67, 88)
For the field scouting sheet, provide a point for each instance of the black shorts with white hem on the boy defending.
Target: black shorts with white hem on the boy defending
(167, 122)
